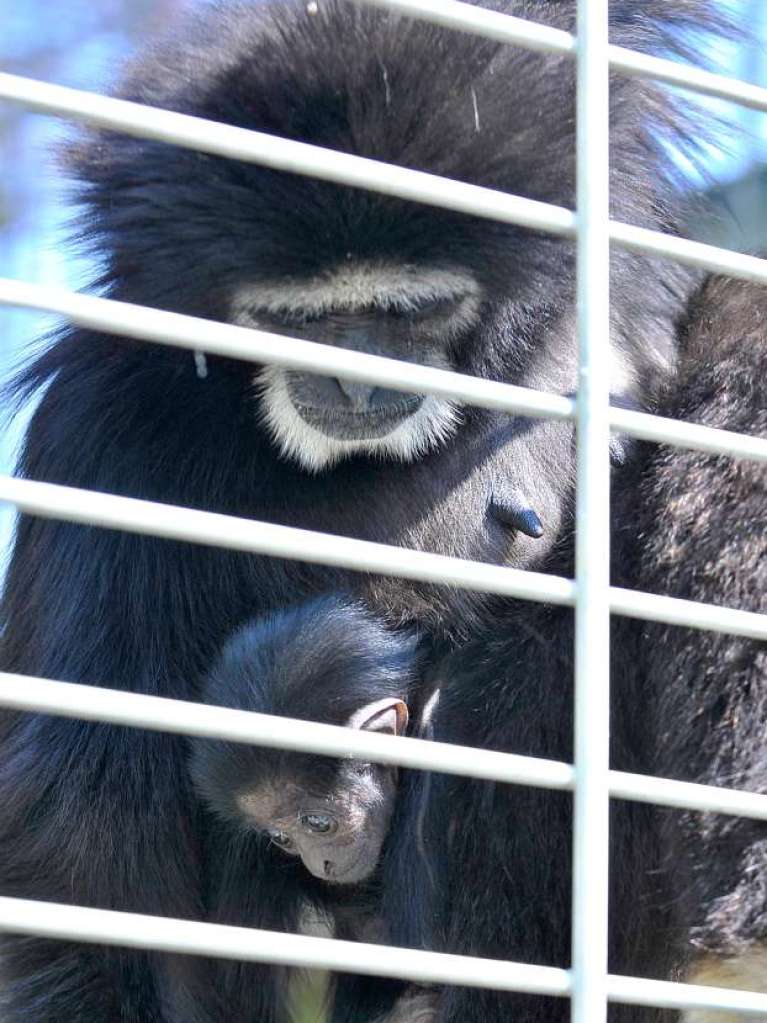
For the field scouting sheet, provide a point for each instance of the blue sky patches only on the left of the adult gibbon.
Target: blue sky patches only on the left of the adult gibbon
(80, 45)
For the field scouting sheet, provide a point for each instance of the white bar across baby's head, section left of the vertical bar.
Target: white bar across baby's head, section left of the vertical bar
(91, 703)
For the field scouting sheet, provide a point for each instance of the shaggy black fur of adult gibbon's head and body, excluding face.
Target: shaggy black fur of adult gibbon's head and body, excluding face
(103, 816)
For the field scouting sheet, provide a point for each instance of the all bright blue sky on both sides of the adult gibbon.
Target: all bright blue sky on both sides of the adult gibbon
(82, 45)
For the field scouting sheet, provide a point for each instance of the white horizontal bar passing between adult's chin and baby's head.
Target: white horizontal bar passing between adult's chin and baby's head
(173, 522)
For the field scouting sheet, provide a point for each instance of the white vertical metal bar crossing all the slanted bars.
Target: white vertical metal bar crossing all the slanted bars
(593, 514)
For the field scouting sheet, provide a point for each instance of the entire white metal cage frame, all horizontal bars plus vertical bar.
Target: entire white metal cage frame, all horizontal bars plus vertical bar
(590, 779)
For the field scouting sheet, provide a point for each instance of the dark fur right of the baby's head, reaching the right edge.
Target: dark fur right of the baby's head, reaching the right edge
(688, 891)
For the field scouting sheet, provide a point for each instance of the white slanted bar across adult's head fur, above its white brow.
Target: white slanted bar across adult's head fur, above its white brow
(357, 172)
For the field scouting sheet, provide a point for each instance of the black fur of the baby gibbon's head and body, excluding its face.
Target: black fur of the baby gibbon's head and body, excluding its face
(322, 661)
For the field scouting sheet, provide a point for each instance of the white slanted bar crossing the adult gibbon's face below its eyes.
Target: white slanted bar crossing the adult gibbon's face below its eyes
(258, 346)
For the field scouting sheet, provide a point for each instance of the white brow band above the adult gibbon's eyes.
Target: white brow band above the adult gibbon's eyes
(354, 289)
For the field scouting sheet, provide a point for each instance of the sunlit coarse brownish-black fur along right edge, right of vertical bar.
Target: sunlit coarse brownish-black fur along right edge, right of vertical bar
(711, 545)
